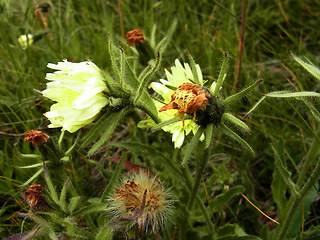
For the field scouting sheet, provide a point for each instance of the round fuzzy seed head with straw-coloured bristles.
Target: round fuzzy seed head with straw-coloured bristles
(144, 200)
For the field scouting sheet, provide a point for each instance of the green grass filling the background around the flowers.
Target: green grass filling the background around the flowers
(79, 30)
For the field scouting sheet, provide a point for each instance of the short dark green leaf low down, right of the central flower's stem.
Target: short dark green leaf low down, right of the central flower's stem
(220, 201)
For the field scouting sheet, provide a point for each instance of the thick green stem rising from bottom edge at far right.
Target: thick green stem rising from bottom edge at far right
(296, 201)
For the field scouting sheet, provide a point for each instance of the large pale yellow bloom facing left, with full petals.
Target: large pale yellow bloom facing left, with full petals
(78, 90)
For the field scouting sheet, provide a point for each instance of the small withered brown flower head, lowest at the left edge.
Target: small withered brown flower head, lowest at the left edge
(35, 198)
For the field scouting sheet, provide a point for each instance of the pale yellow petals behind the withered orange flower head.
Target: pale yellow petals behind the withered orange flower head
(178, 76)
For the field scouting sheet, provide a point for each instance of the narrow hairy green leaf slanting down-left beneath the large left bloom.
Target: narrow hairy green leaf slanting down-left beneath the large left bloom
(111, 123)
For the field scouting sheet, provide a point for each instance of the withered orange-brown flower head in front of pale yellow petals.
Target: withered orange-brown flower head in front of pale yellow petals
(188, 98)
